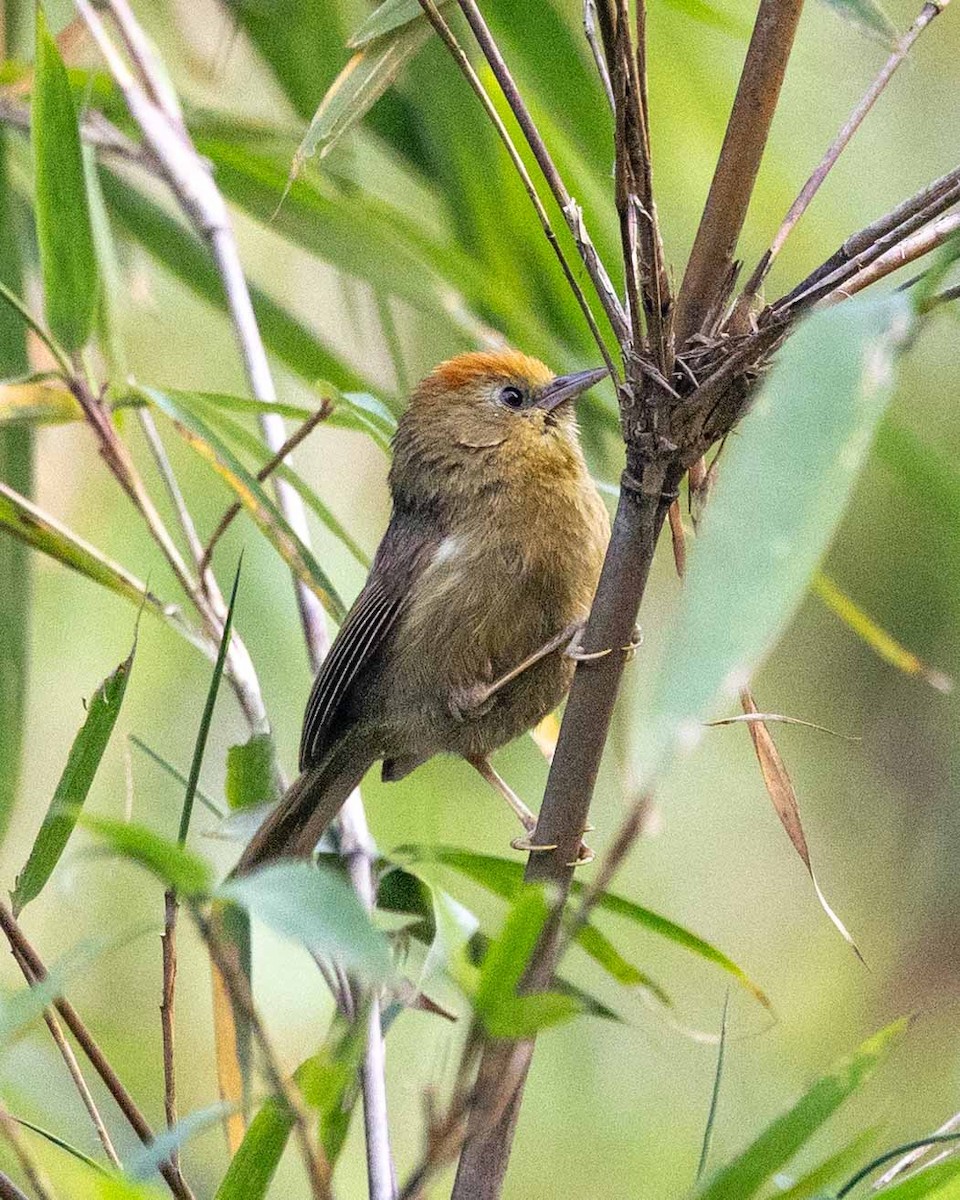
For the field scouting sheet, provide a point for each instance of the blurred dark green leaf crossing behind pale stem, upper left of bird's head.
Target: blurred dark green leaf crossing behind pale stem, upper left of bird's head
(188, 260)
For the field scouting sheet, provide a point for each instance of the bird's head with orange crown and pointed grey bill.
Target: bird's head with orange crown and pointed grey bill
(485, 417)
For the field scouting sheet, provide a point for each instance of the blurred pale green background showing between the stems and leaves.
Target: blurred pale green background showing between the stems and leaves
(611, 1109)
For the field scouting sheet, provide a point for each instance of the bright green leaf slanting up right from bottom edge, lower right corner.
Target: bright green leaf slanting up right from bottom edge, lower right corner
(781, 1142)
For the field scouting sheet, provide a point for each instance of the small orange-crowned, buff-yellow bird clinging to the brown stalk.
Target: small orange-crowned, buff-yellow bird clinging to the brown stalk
(466, 633)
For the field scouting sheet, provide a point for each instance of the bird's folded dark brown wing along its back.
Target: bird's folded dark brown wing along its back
(407, 548)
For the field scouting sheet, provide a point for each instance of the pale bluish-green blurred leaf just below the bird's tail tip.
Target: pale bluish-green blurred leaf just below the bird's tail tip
(316, 907)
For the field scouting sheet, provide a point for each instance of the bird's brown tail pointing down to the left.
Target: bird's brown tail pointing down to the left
(310, 805)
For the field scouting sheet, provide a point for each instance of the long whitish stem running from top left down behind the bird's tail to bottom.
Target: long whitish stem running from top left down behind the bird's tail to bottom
(195, 189)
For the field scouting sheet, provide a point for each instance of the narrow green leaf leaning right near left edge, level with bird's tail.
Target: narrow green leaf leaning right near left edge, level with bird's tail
(75, 784)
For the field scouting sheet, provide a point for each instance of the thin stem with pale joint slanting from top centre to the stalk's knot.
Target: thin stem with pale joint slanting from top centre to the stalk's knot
(571, 209)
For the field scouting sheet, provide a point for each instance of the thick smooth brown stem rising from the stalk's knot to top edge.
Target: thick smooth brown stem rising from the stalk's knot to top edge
(737, 167)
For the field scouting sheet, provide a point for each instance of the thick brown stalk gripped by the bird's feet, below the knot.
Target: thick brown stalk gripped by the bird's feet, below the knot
(563, 815)
